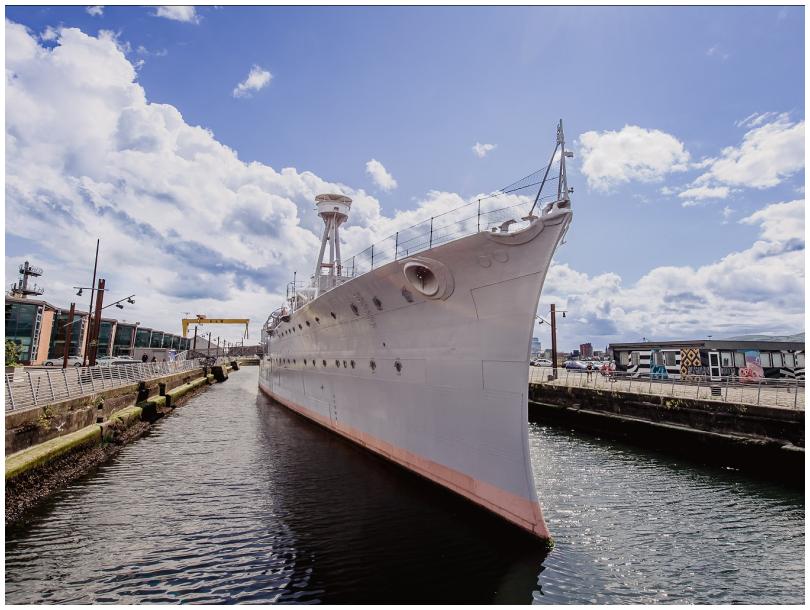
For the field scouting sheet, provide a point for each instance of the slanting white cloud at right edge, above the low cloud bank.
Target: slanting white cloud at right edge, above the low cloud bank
(769, 153)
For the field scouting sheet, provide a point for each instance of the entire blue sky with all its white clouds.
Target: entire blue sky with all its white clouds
(192, 142)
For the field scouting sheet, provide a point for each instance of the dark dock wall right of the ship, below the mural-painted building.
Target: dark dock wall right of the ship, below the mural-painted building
(768, 440)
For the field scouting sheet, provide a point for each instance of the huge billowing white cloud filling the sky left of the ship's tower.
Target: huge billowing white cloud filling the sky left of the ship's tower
(88, 155)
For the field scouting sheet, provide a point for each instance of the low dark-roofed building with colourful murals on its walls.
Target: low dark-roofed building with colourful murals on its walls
(717, 359)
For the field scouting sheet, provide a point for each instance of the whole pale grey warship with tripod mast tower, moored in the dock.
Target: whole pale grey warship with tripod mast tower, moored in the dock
(418, 348)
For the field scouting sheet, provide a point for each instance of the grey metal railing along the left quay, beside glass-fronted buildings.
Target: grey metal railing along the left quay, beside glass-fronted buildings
(26, 387)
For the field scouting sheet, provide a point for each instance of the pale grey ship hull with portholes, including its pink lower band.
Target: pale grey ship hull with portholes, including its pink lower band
(438, 385)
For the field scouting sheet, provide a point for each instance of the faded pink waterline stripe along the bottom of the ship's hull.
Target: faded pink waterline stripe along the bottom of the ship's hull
(513, 508)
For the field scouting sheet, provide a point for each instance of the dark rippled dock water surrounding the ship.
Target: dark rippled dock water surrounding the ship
(235, 499)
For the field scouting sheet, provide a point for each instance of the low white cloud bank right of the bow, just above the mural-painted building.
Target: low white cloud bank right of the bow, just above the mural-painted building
(684, 302)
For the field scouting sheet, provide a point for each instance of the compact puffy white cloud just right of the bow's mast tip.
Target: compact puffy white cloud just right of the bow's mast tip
(610, 158)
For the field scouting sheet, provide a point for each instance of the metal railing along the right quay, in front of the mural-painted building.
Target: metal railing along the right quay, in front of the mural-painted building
(785, 393)
